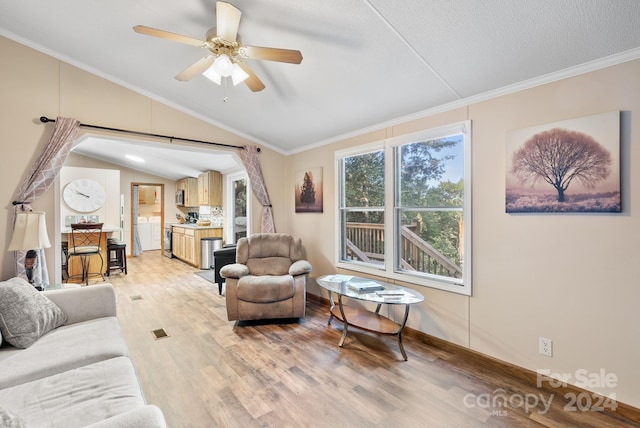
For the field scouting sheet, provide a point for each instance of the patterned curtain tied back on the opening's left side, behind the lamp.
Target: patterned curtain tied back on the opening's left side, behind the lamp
(43, 173)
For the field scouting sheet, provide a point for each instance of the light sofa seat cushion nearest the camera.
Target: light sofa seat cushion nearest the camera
(76, 398)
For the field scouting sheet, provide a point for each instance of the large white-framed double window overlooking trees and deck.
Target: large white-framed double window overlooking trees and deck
(414, 191)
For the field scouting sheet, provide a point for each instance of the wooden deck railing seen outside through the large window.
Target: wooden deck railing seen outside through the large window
(365, 242)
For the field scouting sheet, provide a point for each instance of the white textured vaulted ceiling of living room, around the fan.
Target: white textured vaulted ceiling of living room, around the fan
(366, 62)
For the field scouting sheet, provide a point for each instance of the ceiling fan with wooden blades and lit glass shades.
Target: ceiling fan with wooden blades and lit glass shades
(227, 53)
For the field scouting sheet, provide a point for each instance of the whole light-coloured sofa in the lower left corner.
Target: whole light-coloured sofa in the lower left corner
(78, 374)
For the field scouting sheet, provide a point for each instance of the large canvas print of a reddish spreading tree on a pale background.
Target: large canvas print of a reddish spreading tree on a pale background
(568, 166)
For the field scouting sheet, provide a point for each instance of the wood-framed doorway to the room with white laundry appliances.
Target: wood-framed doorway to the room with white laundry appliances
(147, 217)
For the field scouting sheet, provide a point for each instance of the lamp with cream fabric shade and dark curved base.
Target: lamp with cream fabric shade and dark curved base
(30, 234)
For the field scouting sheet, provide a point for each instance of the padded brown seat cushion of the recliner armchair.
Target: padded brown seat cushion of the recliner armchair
(265, 289)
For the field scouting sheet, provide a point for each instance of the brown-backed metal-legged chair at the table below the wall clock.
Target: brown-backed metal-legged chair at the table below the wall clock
(85, 243)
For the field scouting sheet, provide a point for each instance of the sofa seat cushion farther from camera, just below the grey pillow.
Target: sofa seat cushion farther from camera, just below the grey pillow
(65, 348)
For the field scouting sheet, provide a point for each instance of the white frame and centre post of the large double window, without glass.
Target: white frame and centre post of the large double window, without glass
(391, 226)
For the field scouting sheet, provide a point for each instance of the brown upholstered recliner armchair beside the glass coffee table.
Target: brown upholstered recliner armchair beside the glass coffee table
(268, 280)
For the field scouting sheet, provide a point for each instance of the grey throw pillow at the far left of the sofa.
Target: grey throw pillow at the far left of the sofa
(25, 314)
